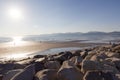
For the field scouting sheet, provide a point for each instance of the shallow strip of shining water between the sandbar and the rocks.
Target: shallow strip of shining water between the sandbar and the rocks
(20, 56)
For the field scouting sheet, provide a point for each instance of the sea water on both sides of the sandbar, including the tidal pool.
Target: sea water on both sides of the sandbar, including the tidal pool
(53, 38)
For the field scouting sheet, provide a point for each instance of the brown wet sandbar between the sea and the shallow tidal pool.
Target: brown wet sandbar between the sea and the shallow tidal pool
(26, 47)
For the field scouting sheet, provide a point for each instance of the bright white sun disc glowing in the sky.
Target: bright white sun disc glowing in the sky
(15, 13)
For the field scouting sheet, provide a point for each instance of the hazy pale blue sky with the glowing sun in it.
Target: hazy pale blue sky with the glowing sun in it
(34, 17)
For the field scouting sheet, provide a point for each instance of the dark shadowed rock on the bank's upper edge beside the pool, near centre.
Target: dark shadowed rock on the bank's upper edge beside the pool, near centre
(63, 56)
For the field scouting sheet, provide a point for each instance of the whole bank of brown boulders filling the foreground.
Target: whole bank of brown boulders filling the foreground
(98, 63)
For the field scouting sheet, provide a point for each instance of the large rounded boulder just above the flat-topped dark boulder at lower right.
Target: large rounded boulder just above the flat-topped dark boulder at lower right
(90, 65)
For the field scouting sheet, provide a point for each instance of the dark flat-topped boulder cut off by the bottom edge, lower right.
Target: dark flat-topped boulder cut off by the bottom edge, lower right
(99, 75)
